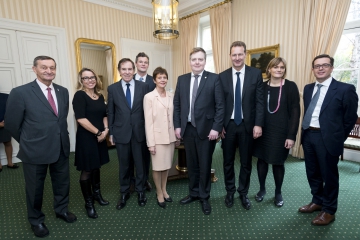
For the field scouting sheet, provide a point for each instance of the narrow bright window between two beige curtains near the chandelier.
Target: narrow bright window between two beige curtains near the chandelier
(204, 41)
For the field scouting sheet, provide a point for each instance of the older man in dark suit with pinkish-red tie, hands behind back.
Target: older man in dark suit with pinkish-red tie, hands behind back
(36, 118)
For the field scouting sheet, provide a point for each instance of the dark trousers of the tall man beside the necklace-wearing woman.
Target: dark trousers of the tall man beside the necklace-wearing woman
(236, 136)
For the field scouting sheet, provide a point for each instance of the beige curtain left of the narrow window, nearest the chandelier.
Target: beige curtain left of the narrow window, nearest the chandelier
(189, 28)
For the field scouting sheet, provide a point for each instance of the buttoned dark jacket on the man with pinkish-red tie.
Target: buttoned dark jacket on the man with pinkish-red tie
(32, 122)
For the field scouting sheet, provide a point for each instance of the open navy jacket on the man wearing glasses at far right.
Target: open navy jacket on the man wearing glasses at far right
(338, 114)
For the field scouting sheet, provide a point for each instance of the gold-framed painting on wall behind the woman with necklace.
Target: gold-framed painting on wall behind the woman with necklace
(260, 57)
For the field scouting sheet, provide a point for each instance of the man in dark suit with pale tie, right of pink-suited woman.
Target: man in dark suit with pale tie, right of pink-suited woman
(198, 119)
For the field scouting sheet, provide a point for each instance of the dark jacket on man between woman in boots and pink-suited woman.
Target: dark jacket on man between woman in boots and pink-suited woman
(123, 121)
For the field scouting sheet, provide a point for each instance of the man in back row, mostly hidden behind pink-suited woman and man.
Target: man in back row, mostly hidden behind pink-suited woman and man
(142, 65)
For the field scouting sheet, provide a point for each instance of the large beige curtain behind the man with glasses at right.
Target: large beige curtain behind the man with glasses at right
(321, 23)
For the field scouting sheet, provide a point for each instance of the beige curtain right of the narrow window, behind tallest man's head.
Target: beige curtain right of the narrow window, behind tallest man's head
(220, 23)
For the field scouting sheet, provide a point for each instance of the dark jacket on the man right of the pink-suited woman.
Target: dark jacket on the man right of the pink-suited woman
(209, 104)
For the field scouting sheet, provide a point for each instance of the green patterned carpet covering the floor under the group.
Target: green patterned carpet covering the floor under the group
(263, 221)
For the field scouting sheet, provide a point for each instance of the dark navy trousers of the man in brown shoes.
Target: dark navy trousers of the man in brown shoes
(321, 170)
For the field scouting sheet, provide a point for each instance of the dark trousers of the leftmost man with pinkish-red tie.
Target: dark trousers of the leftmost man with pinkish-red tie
(35, 175)
